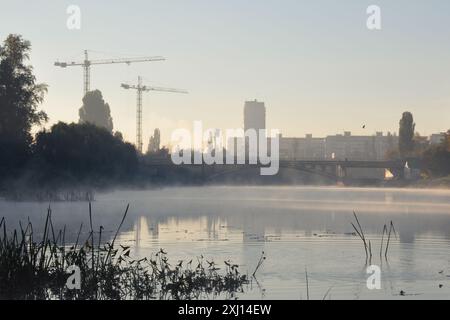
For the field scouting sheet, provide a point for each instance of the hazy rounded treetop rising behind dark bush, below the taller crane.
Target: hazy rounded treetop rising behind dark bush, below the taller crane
(96, 111)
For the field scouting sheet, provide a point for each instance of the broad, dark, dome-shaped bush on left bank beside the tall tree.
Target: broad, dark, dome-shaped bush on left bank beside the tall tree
(83, 153)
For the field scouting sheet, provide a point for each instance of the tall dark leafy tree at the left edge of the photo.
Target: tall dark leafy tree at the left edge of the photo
(20, 96)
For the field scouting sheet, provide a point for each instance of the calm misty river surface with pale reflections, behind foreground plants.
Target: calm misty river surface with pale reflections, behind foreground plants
(297, 228)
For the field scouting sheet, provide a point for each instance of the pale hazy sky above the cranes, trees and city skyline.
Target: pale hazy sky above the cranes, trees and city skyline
(315, 63)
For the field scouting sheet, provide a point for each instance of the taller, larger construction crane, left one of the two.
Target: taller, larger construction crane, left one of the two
(86, 64)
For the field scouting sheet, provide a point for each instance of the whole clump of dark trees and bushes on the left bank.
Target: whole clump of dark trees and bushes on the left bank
(84, 152)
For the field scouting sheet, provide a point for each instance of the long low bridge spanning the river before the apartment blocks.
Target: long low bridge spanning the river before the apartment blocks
(334, 170)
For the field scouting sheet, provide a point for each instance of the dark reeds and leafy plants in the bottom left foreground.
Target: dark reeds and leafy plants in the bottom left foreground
(37, 267)
